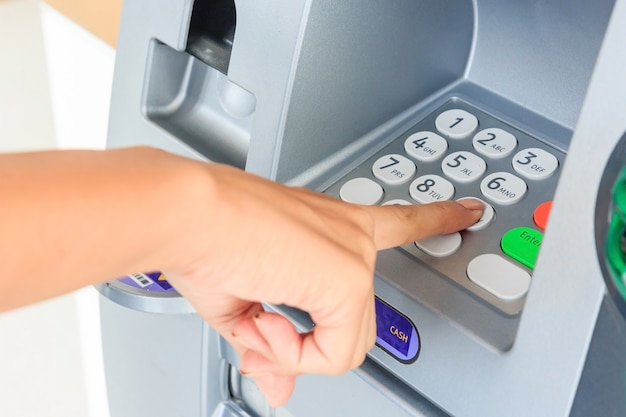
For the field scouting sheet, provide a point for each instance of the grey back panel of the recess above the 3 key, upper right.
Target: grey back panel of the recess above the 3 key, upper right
(538, 53)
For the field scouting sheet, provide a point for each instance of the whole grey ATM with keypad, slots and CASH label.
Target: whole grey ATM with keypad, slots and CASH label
(521, 103)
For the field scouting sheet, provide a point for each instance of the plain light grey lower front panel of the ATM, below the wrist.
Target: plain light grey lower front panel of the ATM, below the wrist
(153, 362)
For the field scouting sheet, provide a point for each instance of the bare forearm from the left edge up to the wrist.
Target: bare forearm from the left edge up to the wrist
(75, 218)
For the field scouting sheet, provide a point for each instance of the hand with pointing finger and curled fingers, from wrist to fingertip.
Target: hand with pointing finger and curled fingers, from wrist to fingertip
(266, 242)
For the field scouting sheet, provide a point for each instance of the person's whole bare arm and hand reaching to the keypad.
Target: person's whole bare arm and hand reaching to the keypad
(227, 240)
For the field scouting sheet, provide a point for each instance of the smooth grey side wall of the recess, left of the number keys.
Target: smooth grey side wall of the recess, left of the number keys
(360, 64)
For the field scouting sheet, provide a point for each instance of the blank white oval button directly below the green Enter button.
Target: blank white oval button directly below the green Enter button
(499, 276)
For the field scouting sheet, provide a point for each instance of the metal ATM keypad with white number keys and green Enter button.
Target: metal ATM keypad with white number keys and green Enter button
(461, 152)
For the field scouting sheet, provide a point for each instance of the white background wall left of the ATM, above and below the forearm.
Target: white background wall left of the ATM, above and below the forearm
(55, 81)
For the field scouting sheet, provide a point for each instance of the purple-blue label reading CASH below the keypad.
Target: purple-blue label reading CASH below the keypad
(395, 333)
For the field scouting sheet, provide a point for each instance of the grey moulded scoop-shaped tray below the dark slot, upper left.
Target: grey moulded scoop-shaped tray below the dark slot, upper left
(198, 105)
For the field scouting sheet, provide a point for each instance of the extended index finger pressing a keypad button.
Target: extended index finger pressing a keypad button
(396, 225)
